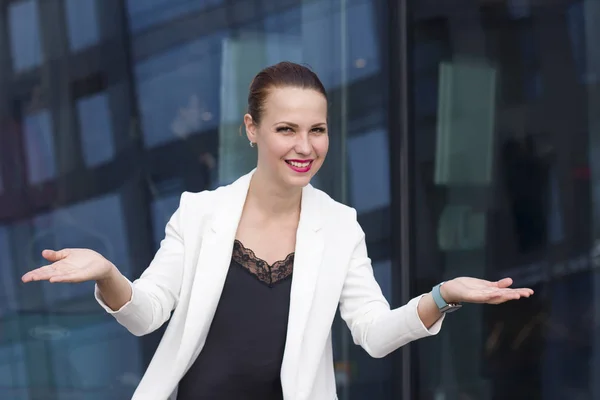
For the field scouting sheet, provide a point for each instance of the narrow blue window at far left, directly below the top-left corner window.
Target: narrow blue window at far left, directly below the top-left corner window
(39, 141)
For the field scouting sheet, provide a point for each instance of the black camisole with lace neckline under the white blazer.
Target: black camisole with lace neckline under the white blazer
(242, 356)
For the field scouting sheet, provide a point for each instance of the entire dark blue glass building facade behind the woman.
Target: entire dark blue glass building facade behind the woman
(465, 133)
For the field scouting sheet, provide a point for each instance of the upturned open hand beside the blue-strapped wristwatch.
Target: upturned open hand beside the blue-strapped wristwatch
(473, 290)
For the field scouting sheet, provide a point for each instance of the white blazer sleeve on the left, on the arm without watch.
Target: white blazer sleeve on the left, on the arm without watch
(156, 292)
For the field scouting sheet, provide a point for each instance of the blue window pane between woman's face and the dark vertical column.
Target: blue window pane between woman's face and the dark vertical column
(369, 171)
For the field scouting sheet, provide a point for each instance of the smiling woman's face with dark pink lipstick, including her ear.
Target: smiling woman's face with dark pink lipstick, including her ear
(292, 137)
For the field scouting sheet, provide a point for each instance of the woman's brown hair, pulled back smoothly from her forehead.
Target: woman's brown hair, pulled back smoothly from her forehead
(283, 74)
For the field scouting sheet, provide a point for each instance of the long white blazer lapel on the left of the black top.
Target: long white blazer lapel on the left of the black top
(211, 269)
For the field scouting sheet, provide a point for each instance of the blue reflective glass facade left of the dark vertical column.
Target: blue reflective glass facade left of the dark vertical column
(110, 109)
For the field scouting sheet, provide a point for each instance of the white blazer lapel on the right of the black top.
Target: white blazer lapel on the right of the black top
(307, 263)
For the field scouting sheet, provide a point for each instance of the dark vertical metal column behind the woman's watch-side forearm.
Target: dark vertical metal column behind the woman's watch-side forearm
(402, 187)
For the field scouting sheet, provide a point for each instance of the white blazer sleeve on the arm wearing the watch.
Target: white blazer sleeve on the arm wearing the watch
(374, 326)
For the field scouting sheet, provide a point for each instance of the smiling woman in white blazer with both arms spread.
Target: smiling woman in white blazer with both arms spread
(254, 271)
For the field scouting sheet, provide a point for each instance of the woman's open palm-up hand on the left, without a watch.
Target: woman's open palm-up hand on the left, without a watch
(73, 266)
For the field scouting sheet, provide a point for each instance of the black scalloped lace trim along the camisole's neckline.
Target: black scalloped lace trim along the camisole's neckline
(269, 274)
